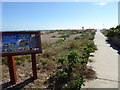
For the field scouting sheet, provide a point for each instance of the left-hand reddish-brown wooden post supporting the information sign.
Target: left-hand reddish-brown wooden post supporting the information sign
(12, 69)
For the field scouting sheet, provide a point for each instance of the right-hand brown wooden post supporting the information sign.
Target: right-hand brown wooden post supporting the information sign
(34, 69)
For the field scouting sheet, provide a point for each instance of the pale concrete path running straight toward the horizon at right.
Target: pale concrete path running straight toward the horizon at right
(105, 64)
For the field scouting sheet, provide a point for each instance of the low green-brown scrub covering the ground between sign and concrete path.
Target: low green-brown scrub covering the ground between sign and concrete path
(64, 61)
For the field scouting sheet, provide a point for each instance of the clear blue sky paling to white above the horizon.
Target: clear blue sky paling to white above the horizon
(58, 15)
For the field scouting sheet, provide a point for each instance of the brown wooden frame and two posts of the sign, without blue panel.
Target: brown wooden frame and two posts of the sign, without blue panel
(11, 60)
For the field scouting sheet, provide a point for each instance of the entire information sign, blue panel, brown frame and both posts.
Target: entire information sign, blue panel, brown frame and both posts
(19, 43)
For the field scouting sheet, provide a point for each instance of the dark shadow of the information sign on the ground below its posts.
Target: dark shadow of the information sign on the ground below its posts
(19, 85)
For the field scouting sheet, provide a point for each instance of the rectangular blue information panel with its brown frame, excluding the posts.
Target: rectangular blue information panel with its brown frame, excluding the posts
(21, 42)
